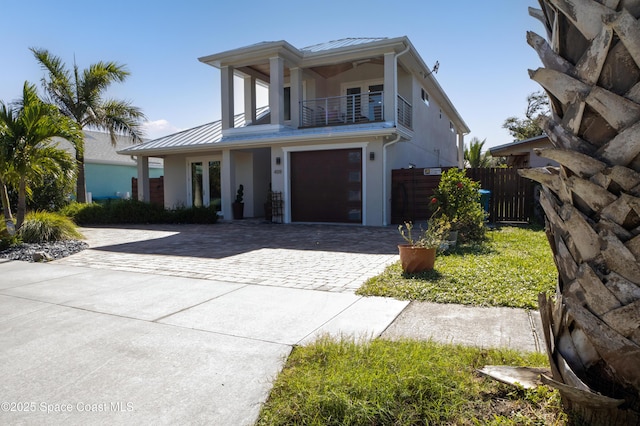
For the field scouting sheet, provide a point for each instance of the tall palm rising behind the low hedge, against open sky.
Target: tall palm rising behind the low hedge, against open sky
(79, 96)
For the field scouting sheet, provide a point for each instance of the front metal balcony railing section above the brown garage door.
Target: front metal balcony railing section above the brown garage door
(350, 109)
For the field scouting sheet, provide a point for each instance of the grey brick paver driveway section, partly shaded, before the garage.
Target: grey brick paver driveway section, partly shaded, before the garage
(320, 257)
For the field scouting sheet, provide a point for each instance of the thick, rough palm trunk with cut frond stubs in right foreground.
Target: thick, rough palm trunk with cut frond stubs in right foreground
(591, 74)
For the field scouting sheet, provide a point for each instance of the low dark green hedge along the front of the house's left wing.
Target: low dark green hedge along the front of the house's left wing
(113, 212)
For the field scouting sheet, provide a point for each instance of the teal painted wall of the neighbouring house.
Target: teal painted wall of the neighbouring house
(106, 180)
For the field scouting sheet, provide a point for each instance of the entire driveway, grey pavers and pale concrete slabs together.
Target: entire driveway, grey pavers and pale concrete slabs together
(179, 324)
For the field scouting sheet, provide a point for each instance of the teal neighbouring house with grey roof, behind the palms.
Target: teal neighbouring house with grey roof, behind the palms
(107, 173)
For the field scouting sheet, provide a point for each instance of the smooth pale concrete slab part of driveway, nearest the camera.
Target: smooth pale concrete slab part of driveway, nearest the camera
(91, 346)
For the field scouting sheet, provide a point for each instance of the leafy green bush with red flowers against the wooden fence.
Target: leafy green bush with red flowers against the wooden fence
(457, 199)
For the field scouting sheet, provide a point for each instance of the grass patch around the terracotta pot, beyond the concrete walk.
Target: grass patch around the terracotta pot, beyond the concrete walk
(510, 269)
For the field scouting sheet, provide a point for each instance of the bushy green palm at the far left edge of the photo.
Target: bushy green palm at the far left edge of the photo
(26, 153)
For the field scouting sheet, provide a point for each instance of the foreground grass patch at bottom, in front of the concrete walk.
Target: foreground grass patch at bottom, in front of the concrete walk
(403, 383)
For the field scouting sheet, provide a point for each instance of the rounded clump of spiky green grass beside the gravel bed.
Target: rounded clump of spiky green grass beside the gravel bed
(44, 226)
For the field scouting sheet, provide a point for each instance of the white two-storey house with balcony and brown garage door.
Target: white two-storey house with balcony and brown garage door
(340, 116)
